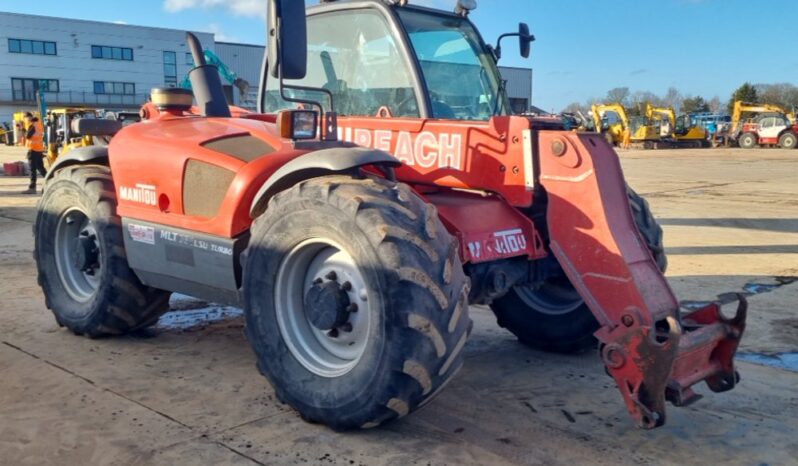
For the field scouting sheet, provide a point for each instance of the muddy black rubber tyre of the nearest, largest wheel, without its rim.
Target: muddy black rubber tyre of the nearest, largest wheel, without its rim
(418, 297)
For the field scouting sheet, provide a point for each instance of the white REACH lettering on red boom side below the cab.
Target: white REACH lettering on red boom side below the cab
(424, 149)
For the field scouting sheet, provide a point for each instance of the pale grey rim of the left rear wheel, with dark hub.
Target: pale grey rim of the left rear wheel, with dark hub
(77, 255)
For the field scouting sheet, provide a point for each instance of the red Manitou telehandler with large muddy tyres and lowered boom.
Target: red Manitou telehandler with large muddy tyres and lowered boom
(381, 189)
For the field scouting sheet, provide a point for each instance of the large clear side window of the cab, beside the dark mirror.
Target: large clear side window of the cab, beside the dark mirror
(353, 55)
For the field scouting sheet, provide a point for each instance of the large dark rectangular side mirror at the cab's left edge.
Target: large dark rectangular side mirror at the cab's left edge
(288, 39)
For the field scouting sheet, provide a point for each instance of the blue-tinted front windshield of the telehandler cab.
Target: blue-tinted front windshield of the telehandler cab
(461, 76)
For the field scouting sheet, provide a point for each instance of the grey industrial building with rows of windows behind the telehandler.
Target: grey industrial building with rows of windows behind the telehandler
(114, 66)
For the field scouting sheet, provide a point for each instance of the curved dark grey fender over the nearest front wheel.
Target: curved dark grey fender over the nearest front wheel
(318, 163)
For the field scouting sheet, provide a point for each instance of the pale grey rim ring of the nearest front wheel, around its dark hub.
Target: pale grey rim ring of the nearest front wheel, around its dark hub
(327, 353)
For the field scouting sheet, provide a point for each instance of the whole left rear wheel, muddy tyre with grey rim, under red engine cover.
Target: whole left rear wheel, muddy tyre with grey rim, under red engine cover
(77, 223)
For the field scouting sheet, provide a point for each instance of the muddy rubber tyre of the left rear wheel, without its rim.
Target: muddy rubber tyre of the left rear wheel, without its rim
(121, 303)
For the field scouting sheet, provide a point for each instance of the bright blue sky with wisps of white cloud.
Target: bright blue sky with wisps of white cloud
(583, 47)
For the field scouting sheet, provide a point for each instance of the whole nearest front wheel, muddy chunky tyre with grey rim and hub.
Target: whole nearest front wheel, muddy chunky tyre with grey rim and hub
(328, 244)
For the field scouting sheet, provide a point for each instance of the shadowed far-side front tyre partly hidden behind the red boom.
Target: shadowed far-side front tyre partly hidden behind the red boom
(554, 317)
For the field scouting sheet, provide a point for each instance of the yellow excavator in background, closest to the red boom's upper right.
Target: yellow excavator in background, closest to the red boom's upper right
(613, 119)
